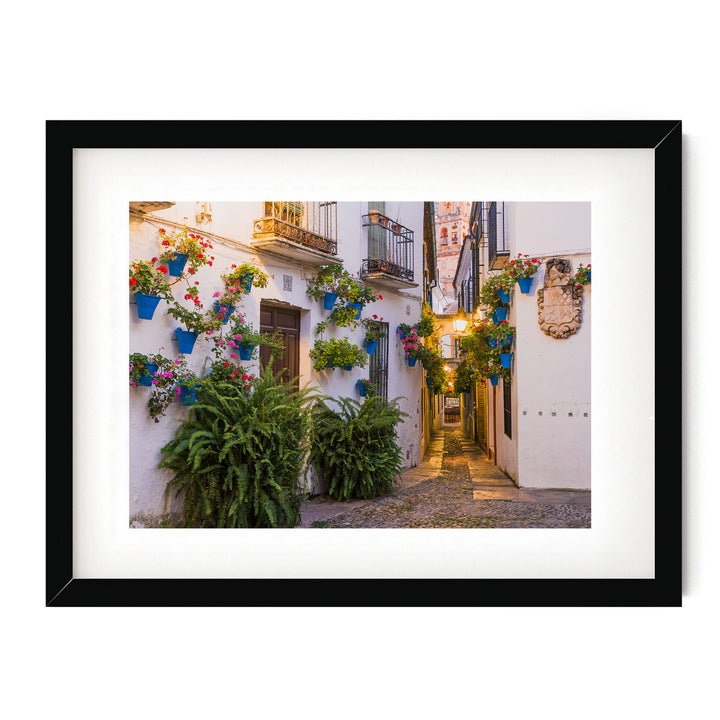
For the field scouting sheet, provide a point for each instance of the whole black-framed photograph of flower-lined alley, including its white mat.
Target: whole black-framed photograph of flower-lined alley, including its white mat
(573, 193)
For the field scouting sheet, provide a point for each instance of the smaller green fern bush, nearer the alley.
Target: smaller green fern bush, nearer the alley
(356, 447)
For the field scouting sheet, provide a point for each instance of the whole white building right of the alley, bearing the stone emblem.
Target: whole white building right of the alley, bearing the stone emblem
(537, 426)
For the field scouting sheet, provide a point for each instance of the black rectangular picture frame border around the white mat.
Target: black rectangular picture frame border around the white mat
(63, 589)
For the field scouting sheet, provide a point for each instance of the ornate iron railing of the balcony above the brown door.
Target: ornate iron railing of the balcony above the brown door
(309, 224)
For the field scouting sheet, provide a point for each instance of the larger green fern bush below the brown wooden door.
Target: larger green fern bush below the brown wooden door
(240, 455)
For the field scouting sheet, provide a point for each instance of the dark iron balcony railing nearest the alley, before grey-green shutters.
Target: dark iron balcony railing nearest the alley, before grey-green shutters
(390, 248)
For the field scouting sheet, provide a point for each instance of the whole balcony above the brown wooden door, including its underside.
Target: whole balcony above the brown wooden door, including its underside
(304, 230)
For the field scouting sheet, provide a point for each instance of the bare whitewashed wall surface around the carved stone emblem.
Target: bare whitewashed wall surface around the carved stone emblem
(551, 412)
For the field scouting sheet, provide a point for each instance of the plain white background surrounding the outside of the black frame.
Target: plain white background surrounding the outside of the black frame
(521, 60)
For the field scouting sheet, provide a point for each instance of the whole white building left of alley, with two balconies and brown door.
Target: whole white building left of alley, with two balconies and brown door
(290, 250)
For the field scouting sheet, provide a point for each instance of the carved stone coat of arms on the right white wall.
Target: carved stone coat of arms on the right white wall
(559, 301)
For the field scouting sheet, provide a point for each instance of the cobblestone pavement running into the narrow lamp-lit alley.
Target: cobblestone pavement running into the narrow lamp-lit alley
(454, 487)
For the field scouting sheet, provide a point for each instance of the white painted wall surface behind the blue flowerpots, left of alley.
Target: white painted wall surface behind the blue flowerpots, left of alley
(231, 235)
